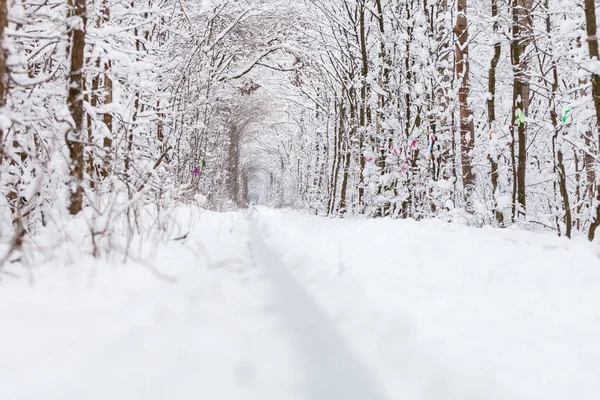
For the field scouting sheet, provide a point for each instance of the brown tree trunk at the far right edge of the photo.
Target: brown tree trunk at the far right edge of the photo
(592, 39)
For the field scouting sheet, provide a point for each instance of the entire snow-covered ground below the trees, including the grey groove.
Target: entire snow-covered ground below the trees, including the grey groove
(280, 305)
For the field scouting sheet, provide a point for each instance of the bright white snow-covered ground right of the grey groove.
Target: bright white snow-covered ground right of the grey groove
(442, 311)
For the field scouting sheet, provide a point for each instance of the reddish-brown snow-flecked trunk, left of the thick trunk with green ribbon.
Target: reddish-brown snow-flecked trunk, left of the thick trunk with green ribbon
(467, 131)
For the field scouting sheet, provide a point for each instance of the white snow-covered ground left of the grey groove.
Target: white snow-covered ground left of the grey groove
(121, 334)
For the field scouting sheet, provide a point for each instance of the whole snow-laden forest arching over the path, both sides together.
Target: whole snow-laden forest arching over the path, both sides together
(112, 112)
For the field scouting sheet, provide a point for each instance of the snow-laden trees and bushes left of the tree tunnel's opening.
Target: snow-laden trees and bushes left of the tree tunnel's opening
(107, 107)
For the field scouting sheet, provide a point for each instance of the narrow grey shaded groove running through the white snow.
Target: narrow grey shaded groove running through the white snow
(331, 370)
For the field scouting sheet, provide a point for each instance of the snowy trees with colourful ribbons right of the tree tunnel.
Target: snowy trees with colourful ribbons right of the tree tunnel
(415, 125)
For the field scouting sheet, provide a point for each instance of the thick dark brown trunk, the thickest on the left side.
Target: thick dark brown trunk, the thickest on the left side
(75, 136)
